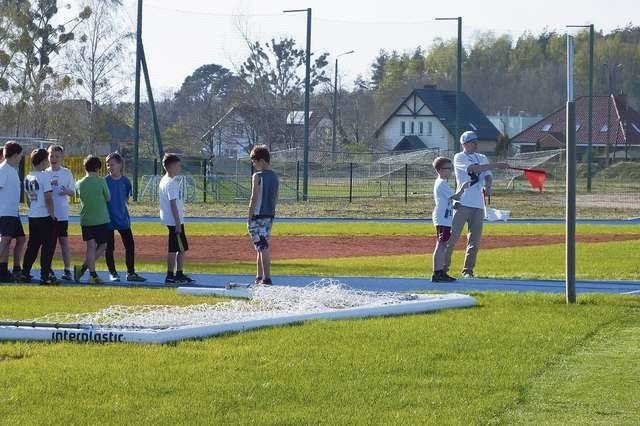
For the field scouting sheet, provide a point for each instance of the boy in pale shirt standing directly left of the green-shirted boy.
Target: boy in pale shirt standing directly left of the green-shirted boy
(63, 186)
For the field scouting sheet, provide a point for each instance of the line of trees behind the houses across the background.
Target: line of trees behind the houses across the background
(62, 77)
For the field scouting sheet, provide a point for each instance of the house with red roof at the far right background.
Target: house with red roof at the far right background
(615, 128)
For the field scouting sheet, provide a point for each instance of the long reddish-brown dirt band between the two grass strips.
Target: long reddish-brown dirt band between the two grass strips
(239, 248)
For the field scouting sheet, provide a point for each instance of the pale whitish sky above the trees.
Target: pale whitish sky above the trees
(180, 36)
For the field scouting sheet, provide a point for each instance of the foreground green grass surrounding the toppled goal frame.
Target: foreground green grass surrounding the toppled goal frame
(475, 366)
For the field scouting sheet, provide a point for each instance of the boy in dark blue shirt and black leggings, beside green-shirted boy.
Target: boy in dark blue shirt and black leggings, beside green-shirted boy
(120, 190)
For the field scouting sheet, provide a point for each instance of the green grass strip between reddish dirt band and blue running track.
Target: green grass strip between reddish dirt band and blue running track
(536, 262)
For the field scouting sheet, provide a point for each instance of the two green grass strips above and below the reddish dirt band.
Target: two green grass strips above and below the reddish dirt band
(514, 262)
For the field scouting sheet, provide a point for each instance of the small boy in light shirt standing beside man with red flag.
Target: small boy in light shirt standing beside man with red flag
(442, 216)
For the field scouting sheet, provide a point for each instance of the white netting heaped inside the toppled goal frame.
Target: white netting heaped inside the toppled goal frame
(265, 302)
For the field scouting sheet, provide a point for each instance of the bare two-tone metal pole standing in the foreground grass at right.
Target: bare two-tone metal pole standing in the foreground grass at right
(570, 242)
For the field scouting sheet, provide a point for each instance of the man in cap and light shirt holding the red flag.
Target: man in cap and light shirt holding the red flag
(472, 168)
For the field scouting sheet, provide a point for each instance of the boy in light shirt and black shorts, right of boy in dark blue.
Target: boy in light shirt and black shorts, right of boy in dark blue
(172, 215)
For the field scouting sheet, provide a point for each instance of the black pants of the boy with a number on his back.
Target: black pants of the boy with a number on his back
(42, 234)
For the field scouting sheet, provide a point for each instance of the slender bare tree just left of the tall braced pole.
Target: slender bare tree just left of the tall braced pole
(97, 60)
